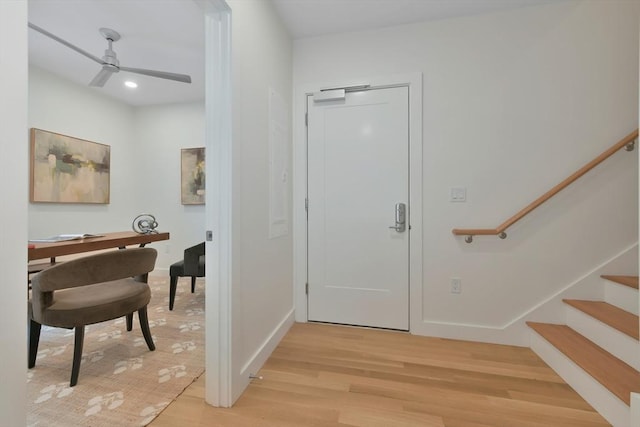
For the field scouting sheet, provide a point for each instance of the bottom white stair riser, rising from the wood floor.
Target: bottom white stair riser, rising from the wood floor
(606, 403)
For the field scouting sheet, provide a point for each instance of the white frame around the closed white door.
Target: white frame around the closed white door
(414, 82)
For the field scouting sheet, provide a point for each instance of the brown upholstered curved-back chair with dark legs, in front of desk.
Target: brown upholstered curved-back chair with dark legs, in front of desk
(89, 290)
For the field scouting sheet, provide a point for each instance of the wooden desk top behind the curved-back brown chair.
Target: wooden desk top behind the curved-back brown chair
(120, 239)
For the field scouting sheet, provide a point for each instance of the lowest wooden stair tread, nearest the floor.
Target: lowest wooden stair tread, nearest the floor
(615, 375)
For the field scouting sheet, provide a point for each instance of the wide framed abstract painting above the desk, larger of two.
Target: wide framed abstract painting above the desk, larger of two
(65, 169)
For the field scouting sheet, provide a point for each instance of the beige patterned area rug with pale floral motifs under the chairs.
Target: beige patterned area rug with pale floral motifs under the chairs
(121, 382)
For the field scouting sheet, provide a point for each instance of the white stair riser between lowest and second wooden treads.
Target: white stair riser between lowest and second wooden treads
(615, 342)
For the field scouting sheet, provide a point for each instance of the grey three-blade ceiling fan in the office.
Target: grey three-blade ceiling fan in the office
(109, 61)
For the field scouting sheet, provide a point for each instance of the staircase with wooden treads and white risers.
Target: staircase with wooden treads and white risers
(598, 351)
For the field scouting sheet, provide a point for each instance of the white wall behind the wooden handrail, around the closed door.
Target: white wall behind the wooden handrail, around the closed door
(513, 102)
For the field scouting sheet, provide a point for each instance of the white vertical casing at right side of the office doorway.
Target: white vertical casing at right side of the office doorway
(218, 384)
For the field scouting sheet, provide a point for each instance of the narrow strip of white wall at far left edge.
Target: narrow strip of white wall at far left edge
(13, 218)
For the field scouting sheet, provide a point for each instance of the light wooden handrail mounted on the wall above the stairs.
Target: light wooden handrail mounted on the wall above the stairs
(500, 230)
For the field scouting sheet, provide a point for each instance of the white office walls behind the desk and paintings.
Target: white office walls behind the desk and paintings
(145, 162)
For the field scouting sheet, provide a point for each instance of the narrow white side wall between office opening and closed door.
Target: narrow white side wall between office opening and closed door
(262, 296)
